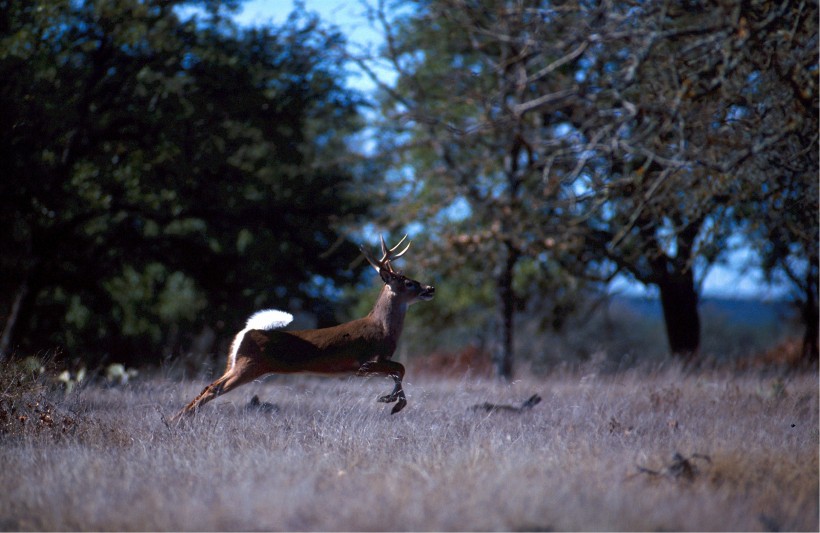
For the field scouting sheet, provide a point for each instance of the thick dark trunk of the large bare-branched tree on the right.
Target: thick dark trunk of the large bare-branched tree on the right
(679, 300)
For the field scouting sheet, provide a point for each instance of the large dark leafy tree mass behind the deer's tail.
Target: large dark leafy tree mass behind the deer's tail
(165, 172)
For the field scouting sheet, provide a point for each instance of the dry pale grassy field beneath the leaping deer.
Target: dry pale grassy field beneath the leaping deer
(596, 454)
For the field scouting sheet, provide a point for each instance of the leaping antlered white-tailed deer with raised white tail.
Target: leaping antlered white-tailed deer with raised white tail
(362, 346)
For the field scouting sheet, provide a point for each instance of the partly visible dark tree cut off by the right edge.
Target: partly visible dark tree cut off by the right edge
(780, 213)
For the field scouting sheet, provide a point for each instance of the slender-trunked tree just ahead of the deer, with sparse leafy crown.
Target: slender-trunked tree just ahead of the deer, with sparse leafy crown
(462, 119)
